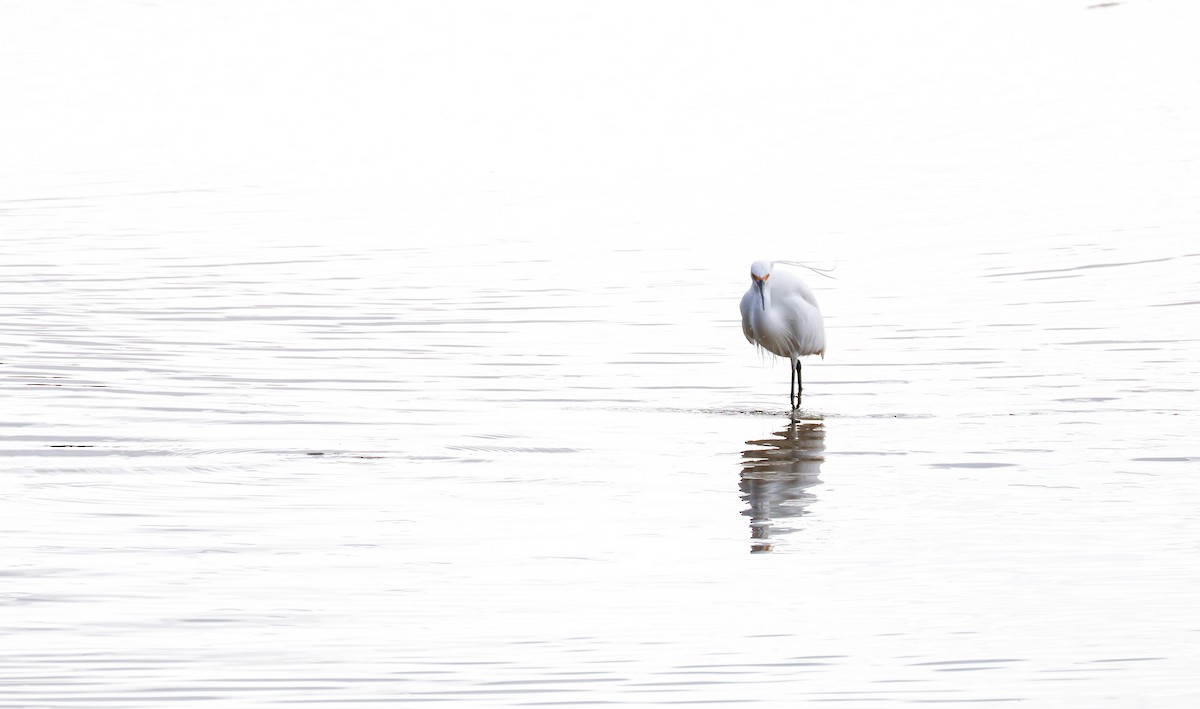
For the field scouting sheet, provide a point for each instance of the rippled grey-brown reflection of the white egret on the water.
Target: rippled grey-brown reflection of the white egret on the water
(776, 477)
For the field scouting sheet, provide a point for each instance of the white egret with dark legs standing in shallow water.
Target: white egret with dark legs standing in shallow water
(781, 315)
